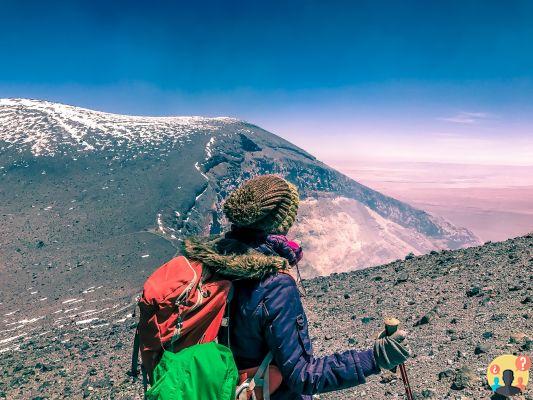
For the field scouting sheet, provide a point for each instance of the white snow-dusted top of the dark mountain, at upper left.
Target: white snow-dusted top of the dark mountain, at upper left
(27, 124)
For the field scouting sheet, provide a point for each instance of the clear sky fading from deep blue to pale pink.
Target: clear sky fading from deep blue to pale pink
(445, 81)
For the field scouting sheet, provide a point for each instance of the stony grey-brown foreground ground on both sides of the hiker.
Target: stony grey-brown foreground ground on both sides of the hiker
(462, 308)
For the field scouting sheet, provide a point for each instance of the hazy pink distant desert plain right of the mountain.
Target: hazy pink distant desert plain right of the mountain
(495, 202)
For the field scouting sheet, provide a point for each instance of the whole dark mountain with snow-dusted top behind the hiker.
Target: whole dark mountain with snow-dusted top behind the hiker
(91, 191)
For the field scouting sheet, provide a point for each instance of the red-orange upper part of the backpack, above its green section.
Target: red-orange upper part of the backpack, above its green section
(181, 305)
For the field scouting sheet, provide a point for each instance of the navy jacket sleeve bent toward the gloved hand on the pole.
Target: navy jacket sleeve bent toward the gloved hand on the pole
(287, 337)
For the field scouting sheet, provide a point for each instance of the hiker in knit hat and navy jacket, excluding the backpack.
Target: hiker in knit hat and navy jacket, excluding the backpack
(266, 311)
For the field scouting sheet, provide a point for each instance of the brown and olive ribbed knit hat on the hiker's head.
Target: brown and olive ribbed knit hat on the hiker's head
(267, 202)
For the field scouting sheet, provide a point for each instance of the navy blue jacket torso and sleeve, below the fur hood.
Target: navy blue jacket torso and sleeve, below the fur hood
(267, 315)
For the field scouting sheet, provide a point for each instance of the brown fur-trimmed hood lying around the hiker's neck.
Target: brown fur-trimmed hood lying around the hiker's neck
(232, 258)
